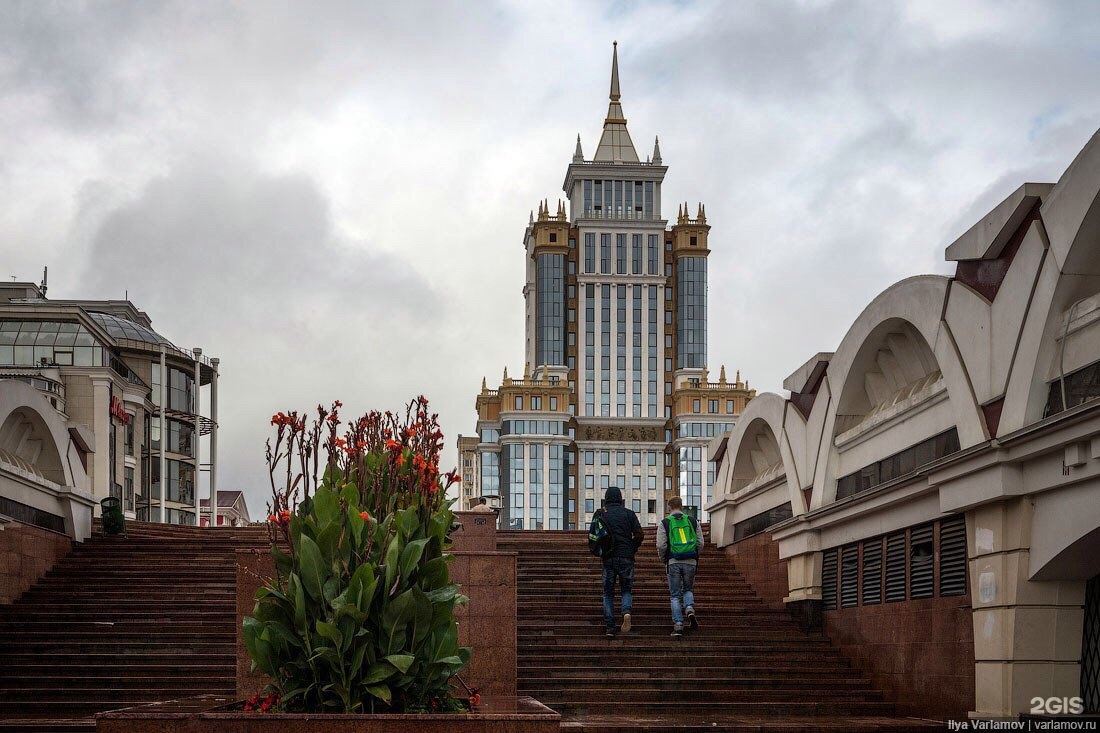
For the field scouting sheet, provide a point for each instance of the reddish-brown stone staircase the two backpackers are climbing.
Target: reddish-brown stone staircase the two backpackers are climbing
(749, 669)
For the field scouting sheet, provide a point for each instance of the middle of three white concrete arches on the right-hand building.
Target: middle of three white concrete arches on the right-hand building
(898, 347)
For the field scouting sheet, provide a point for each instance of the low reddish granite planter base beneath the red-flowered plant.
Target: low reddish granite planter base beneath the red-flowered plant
(216, 715)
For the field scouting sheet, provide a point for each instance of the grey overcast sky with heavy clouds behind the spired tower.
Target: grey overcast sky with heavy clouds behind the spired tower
(332, 196)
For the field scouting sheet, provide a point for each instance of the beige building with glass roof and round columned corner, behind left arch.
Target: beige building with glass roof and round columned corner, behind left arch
(130, 398)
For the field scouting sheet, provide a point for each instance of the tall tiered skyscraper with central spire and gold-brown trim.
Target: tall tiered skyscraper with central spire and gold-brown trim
(615, 389)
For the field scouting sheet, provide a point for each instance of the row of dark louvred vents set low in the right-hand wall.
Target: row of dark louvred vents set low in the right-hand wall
(898, 567)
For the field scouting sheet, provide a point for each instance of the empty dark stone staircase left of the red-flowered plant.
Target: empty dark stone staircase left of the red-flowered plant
(123, 621)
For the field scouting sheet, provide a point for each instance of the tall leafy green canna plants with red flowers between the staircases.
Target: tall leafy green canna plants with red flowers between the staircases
(361, 616)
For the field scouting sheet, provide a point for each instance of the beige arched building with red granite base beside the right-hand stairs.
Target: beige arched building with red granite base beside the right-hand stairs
(945, 460)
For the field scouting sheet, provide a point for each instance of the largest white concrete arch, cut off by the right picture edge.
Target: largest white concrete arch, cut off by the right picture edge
(1070, 273)
